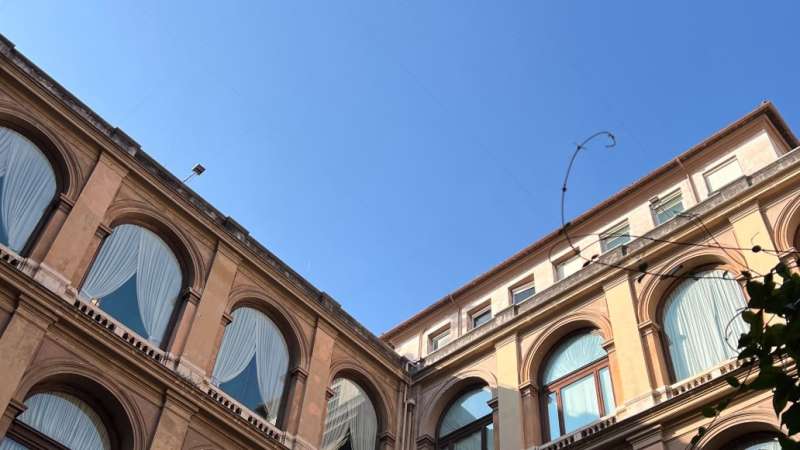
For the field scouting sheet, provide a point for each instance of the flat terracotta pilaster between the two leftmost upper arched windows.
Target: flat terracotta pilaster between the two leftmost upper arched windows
(62, 263)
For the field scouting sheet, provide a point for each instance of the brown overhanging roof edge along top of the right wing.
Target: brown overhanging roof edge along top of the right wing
(766, 108)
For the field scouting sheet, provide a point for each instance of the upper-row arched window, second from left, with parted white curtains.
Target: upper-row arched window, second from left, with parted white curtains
(137, 280)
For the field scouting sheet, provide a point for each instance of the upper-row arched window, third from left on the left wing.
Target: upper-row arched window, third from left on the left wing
(252, 362)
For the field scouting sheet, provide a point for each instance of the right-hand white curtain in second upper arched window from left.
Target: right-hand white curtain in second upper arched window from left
(158, 283)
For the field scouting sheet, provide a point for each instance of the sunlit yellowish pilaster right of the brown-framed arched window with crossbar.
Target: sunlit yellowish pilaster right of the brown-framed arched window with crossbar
(634, 378)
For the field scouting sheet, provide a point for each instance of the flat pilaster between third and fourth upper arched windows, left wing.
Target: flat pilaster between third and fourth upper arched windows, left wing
(312, 418)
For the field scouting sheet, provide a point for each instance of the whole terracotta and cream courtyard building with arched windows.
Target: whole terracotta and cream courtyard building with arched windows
(134, 315)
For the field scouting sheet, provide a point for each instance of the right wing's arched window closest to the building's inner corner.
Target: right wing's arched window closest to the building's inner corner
(467, 423)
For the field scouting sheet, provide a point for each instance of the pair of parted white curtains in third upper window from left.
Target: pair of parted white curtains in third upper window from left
(252, 334)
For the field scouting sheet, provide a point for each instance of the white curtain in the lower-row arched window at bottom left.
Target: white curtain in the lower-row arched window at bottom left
(67, 420)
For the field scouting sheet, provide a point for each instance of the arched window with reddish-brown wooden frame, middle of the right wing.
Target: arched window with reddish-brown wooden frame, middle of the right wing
(577, 384)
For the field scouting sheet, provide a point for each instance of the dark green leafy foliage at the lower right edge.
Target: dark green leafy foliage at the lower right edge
(770, 350)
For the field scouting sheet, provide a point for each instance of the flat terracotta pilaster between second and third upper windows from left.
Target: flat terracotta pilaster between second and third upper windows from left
(204, 325)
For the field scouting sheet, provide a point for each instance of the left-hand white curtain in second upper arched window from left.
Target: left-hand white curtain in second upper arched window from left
(115, 264)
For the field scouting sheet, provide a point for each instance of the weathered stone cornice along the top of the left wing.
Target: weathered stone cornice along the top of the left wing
(223, 225)
